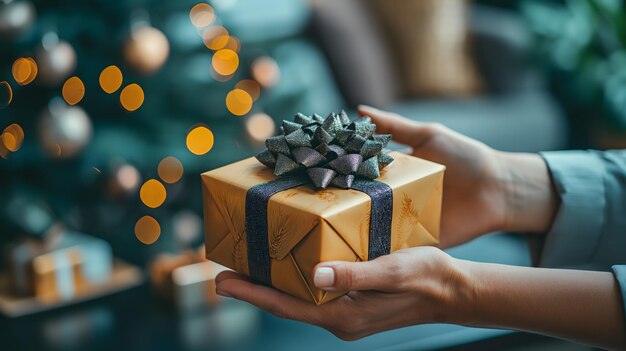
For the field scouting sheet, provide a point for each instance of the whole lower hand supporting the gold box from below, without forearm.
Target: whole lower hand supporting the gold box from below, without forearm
(411, 286)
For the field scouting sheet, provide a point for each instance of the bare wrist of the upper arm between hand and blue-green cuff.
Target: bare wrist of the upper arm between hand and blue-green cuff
(530, 197)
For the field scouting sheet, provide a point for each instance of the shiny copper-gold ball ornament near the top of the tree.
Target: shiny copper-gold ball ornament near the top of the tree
(147, 49)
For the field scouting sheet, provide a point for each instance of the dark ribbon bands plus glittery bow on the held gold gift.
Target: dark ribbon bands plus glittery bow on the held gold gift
(331, 151)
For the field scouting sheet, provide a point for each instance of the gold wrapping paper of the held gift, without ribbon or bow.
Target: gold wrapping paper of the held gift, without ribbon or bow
(307, 226)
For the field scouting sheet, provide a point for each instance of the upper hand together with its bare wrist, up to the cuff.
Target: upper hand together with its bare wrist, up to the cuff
(484, 189)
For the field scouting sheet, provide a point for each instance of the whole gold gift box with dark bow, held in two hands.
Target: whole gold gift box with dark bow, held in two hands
(275, 225)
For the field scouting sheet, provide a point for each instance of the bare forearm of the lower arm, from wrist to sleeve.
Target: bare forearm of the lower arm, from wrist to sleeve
(579, 305)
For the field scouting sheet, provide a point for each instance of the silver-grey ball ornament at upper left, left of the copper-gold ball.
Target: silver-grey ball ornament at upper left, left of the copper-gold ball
(56, 59)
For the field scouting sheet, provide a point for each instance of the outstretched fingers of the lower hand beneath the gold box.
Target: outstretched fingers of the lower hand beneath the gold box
(271, 300)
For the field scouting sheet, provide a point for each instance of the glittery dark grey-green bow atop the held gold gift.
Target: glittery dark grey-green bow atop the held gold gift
(331, 150)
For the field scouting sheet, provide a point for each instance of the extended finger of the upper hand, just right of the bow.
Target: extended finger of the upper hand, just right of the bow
(402, 129)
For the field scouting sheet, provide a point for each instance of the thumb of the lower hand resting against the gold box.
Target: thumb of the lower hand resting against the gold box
(370, 275)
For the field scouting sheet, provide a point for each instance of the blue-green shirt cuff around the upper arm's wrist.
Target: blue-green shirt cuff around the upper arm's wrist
(578, 177)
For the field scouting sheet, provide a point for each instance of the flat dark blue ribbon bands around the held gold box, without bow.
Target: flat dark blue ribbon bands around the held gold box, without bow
(257, 198)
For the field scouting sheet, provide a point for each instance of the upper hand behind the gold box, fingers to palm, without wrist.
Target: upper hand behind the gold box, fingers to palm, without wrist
(474, 200)
